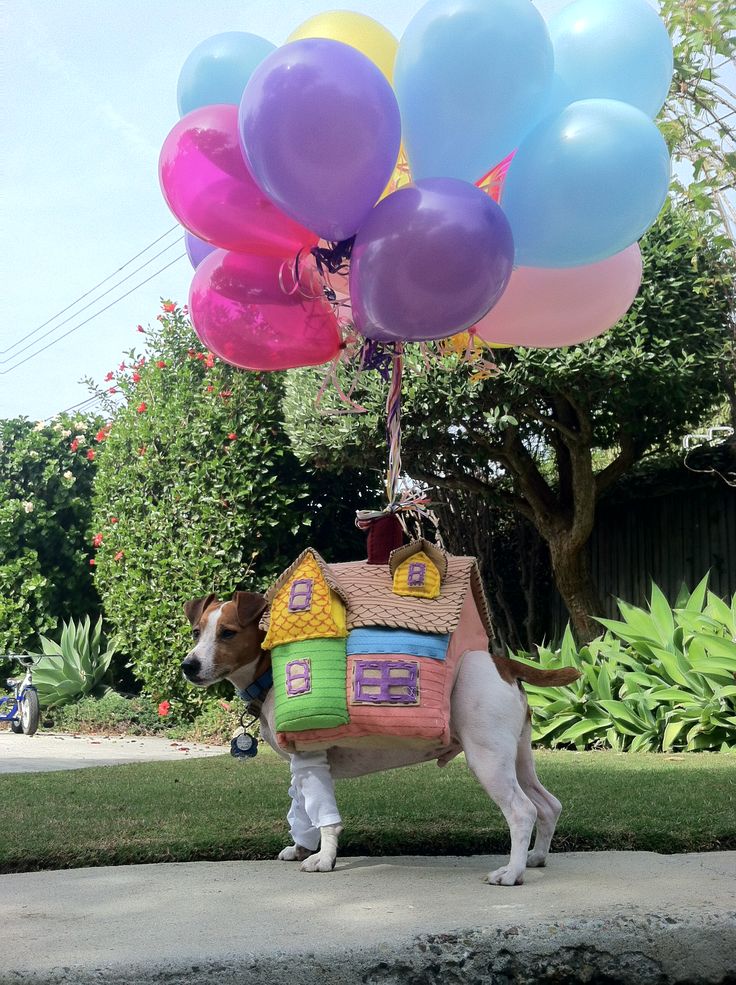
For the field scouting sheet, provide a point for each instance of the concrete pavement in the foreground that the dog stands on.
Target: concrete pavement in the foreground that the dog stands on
(630, 917)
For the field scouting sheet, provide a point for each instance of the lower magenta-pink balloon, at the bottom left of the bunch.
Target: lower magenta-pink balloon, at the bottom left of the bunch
(242, 313)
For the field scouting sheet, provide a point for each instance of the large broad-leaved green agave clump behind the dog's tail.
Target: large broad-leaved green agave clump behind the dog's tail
(661, 679)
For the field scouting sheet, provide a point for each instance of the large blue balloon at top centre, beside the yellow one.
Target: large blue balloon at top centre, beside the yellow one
(471, 79)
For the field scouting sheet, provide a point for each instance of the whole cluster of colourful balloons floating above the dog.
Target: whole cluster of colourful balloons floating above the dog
(491, 172)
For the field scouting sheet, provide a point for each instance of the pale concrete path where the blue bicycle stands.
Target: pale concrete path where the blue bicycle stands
(48, 751)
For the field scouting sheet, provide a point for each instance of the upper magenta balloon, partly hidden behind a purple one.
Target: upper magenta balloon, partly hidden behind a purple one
(208, 188)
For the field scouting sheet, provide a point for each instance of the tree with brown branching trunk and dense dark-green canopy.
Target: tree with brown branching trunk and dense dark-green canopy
(556, 428)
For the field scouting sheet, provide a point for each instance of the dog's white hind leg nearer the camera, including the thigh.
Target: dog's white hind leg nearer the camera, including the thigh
(488, 713)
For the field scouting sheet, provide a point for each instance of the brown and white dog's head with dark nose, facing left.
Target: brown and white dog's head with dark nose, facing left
(226, 636)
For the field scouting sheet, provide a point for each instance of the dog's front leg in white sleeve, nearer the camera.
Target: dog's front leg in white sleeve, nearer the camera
(313, 782)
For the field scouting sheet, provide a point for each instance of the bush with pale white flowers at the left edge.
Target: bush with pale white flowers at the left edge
(45, 513)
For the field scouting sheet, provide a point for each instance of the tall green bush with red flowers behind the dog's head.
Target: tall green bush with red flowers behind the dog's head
(197, 490)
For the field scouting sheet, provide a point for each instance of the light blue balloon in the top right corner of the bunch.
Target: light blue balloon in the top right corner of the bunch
(613, 49)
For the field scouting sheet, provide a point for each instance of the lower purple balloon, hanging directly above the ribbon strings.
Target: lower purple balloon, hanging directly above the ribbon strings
(430, 261)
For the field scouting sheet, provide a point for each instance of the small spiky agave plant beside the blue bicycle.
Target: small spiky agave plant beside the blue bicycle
(74, 667)
